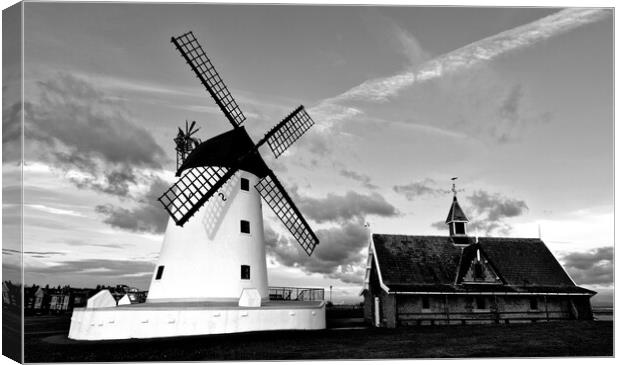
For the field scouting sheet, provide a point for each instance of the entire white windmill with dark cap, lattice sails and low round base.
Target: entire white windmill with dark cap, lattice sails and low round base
(211, 276)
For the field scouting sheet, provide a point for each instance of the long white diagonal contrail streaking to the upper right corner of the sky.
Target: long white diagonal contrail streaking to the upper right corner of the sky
(484, 50)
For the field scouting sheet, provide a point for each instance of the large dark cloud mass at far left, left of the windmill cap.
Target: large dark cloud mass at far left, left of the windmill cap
(88, 135)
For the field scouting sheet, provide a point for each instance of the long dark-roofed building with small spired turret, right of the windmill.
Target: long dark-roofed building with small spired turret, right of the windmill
(458, 279)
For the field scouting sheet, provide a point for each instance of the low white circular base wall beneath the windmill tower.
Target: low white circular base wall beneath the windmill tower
(150, 320)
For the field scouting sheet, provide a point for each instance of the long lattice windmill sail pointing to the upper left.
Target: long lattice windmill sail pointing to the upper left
(195, 56)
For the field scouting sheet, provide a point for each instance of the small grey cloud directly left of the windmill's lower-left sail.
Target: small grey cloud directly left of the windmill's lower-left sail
(148, 216)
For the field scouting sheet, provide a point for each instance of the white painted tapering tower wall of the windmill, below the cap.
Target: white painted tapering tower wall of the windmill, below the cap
(202, 260)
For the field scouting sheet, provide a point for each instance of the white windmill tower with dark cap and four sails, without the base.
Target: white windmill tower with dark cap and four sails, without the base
(210, 176)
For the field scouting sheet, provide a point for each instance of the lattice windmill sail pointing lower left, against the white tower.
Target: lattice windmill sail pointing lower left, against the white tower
(193, 190)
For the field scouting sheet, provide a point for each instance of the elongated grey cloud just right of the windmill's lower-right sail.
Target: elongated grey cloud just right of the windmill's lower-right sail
(338, 208)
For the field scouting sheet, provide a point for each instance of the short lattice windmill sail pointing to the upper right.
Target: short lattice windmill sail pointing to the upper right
(285, 133)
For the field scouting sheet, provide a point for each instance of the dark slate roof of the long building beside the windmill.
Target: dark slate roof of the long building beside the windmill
(431, 263)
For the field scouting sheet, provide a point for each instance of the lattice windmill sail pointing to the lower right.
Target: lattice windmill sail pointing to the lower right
(280, 202)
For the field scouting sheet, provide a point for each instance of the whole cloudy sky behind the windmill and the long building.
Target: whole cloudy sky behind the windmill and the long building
(515, 102)
